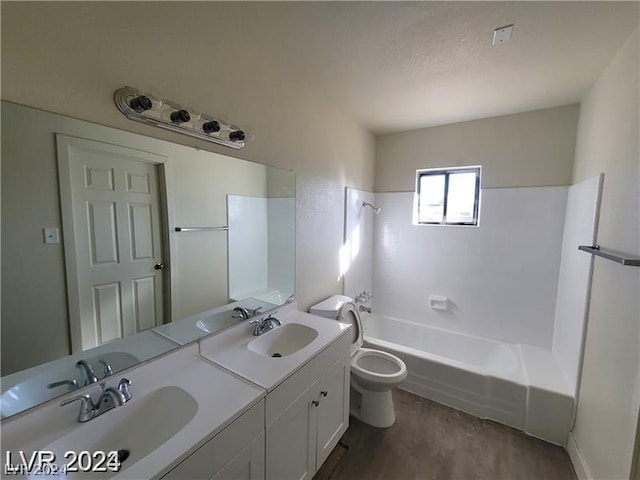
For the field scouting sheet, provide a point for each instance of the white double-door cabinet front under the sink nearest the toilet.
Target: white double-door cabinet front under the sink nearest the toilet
(307, 414)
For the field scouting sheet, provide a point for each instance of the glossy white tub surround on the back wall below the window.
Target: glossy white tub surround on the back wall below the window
(500, 277)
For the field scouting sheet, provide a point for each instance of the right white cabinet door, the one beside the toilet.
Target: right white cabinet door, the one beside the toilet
(333, 408)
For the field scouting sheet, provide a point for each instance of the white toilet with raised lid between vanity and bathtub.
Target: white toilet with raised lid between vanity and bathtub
(373, 372)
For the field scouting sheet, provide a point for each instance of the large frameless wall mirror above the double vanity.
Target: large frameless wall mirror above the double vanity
(118, 247)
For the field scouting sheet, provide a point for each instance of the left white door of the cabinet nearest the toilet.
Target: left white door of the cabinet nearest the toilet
(291, 446)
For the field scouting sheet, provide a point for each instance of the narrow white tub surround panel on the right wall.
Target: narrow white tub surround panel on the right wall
(574, 282)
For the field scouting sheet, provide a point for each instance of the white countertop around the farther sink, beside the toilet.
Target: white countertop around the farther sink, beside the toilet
(229, 348)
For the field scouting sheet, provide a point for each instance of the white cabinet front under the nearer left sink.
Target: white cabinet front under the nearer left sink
(237, 452)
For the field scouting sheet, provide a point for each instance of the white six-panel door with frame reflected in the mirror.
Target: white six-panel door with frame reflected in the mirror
(110, 204)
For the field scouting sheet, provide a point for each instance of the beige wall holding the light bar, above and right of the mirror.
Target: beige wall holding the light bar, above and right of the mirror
(83, 52)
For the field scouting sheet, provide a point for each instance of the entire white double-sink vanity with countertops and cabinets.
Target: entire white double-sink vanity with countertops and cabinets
(223, 407)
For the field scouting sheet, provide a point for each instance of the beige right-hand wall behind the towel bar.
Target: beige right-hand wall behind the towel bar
(609, 390)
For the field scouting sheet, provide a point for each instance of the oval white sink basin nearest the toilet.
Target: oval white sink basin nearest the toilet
(283, 341)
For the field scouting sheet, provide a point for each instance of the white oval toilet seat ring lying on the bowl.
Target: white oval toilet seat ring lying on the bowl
(378, 366)
